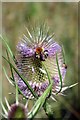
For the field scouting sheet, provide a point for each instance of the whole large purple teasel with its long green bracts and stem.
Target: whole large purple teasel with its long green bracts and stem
(40, 68)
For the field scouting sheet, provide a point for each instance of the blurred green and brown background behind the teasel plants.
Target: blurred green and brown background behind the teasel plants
(62, 18)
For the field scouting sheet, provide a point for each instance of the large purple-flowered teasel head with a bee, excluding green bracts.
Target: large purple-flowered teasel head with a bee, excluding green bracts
(34, 51)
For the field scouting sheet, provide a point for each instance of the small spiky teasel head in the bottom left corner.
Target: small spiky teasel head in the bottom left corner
(14, 111)
